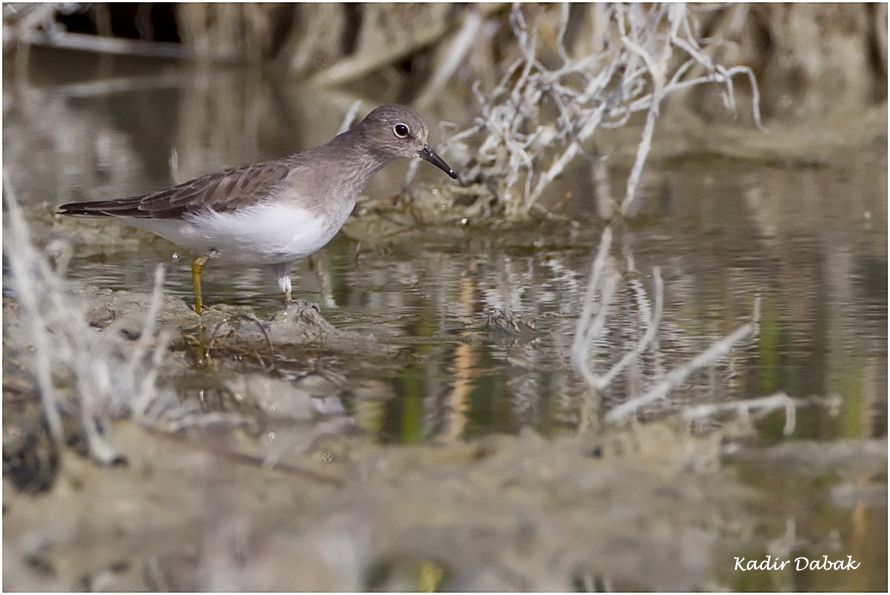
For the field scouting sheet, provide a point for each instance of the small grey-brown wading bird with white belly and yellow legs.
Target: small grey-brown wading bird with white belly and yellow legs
(273, 212)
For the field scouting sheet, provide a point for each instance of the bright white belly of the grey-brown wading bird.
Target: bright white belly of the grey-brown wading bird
(263, 234)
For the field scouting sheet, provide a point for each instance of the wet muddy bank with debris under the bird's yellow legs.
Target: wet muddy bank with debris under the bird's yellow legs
(224, 363)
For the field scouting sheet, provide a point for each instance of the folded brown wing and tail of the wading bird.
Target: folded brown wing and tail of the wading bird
(226, 190)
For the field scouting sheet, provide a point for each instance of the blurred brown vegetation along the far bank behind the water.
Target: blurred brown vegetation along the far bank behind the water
(809, 58)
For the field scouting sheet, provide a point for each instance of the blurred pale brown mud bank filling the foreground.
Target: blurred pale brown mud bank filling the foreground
(501, 513)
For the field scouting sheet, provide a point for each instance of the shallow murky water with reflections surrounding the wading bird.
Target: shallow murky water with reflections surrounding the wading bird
(811, 241)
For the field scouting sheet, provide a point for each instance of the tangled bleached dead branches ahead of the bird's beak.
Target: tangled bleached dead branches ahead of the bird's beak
(523, 144)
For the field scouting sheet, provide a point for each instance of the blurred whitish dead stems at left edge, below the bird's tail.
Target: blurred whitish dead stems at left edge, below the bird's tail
(96, 376)
